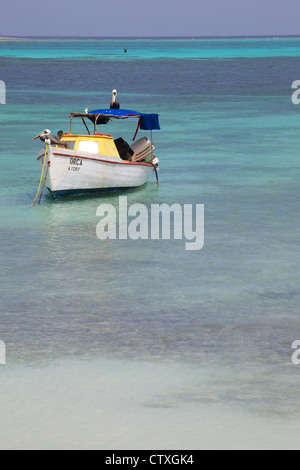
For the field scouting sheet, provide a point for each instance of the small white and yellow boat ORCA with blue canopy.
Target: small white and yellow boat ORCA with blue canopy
(78, 164)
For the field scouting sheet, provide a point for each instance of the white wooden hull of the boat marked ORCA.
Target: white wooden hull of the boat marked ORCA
(77, 173)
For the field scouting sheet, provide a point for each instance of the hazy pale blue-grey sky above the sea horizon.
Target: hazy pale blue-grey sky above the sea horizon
(149, 17)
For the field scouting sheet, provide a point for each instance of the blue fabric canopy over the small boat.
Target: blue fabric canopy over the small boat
(146, 121)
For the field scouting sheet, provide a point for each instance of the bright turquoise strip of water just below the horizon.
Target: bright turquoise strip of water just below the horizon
(149, 48)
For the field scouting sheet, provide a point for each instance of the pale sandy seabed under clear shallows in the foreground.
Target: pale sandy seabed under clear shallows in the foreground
(110, 404)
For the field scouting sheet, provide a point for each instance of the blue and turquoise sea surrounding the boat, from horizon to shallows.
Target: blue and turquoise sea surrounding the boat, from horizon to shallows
(229, 312)
